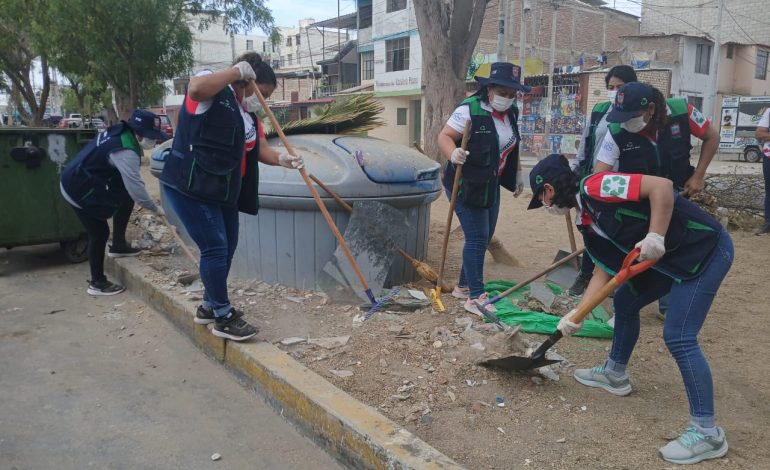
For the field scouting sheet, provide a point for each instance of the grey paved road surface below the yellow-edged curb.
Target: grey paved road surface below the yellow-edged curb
(107, 383)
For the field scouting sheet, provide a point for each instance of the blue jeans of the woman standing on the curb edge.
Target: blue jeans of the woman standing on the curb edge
(214, 228)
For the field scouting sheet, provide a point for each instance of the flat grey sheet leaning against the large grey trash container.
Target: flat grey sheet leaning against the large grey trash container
(371, 233)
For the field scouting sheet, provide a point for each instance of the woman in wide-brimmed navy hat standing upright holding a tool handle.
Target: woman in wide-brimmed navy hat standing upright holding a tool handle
(491, 161)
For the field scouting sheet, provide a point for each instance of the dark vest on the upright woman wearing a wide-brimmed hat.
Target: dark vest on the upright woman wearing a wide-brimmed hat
(479, 181)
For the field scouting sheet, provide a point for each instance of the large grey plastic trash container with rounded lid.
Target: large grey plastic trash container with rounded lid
(289, 242)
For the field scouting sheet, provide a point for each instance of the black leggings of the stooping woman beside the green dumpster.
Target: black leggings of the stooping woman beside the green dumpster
(98, 232)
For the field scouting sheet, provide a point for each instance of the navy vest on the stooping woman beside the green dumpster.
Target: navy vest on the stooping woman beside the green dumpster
(91, 180)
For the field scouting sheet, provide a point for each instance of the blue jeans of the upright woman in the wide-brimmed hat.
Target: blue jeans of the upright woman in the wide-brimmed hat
(479, 226)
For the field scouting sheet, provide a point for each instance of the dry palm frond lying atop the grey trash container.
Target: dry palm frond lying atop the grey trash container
(346, 115)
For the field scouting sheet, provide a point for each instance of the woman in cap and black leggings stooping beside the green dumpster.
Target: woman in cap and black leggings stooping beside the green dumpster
(102, 182)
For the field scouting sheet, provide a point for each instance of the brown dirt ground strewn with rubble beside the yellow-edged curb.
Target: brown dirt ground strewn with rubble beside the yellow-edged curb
(417, 367)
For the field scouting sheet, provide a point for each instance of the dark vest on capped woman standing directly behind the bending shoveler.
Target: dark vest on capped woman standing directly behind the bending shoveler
(668, 157)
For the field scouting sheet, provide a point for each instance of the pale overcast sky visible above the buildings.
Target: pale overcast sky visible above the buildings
(288, 12)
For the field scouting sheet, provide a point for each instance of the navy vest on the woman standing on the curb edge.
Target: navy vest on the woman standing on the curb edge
(207, 152)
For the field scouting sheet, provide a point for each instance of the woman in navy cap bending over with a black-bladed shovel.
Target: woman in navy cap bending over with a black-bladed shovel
(618, 212)
